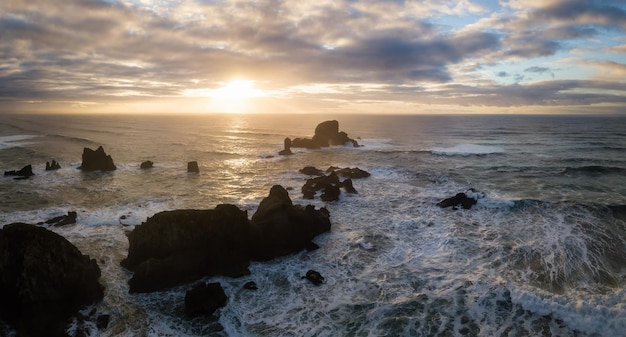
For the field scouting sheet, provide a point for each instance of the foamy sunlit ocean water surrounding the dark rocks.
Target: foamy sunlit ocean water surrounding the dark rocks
(543, 253)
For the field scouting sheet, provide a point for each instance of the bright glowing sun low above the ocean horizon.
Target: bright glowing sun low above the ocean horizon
(235, 96)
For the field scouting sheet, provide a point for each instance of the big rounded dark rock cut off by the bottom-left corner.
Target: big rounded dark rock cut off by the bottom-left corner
(44, 280)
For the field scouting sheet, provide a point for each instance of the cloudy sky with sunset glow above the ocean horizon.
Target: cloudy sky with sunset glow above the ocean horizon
(322, 56)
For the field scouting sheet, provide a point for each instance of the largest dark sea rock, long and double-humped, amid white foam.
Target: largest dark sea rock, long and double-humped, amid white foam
(181, 246)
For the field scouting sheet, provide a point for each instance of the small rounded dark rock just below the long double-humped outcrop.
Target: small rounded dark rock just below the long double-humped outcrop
(204, 299)
